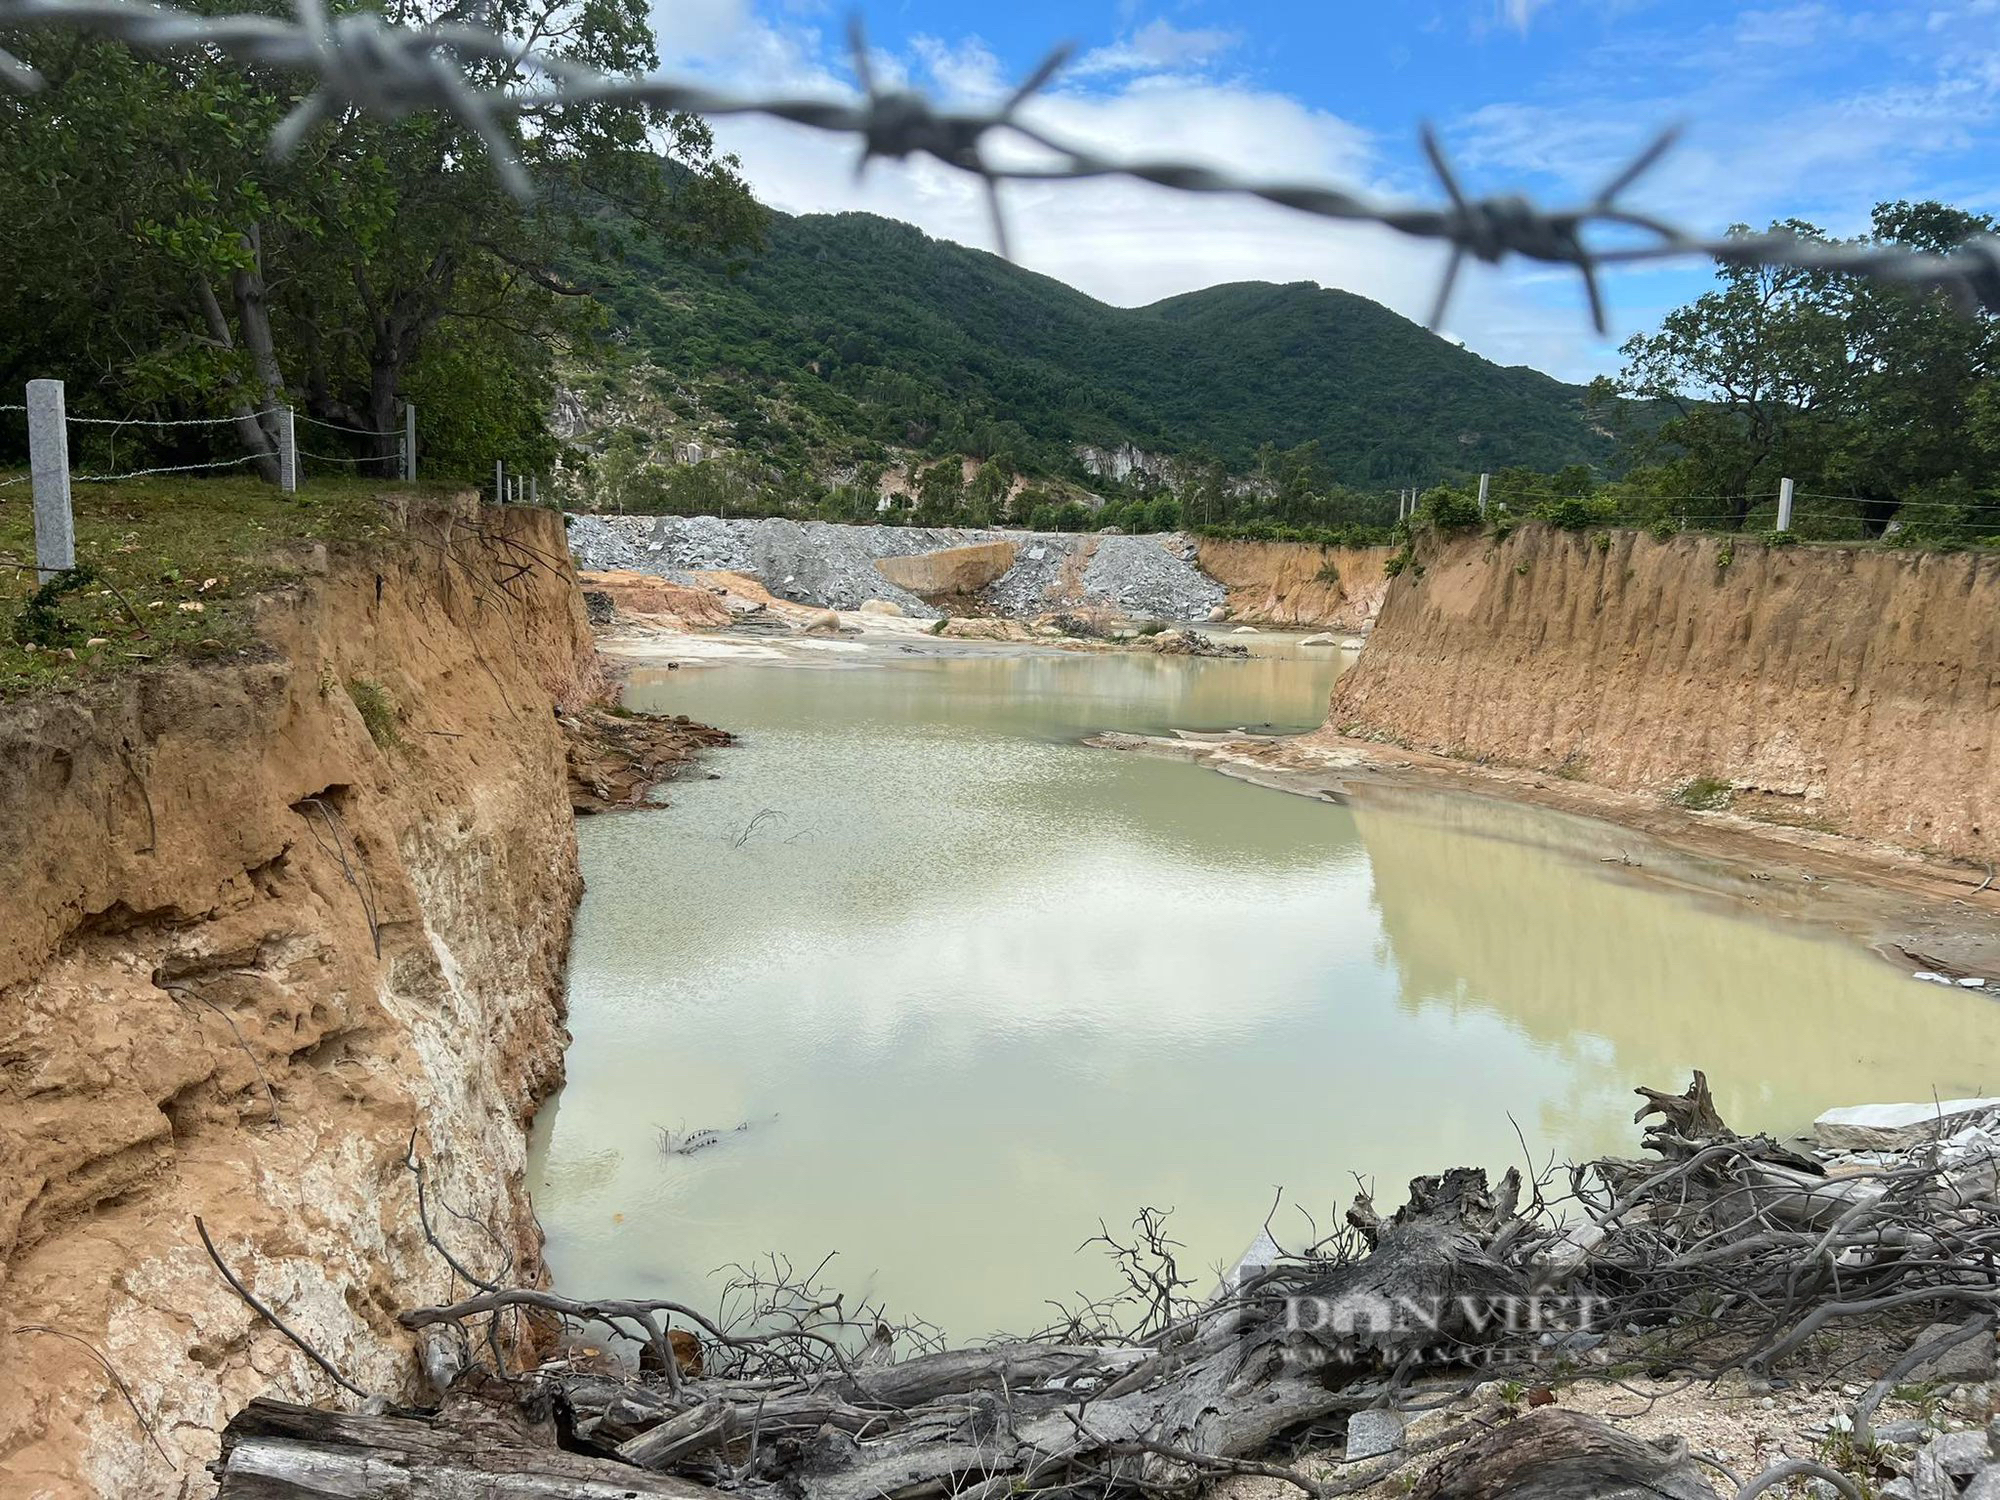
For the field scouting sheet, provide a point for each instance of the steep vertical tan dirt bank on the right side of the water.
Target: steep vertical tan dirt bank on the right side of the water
(1831, 689)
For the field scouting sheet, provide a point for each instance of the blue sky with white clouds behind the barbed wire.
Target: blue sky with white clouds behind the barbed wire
(1811, 109)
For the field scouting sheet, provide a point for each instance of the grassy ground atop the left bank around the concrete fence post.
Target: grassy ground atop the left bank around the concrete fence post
(167, 569)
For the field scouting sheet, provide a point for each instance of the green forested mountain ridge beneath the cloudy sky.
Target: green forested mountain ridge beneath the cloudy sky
(851, 337)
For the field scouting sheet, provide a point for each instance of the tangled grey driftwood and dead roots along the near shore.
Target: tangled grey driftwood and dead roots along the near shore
(803, 1397)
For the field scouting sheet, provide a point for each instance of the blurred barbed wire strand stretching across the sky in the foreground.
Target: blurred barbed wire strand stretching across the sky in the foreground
(367, 63)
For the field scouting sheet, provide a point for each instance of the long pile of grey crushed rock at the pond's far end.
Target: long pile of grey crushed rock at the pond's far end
(833, 567)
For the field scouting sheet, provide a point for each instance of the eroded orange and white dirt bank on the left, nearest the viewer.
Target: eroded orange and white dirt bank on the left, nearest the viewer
(263, 923)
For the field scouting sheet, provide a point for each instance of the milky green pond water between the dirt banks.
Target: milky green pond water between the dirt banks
(977, 987)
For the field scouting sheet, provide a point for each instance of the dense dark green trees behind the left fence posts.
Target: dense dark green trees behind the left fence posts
(179, 269)
